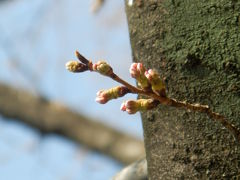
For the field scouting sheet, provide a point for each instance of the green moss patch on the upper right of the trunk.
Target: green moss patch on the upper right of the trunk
(204, 32)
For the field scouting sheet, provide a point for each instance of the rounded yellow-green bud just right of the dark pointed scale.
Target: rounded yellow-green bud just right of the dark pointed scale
(103, 68)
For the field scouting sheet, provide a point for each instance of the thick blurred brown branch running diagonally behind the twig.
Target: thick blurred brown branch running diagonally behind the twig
(52, 117)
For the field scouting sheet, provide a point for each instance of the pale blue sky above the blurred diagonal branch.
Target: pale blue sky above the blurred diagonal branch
(40, 45)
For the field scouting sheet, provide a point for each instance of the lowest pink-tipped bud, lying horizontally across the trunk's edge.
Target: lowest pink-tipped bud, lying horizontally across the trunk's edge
(133, 106)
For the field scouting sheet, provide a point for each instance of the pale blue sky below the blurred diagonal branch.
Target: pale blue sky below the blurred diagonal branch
(26, 155)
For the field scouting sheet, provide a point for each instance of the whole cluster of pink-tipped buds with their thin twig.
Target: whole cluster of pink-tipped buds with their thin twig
(149, 82)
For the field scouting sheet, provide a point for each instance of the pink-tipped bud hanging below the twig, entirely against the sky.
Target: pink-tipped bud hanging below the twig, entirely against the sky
(104, 96)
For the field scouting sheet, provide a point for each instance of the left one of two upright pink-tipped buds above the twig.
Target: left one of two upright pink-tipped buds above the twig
(137, 71)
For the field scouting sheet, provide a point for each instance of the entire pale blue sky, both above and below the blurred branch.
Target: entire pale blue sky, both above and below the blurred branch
(37, 38)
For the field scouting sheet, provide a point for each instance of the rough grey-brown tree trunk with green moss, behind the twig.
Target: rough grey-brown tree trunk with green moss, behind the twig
(195, 45)
